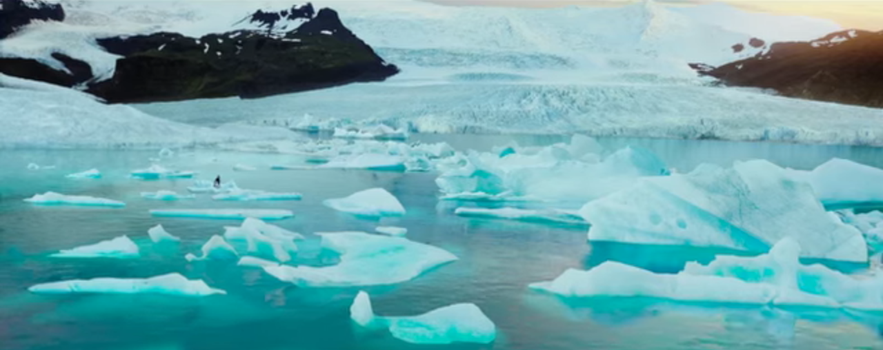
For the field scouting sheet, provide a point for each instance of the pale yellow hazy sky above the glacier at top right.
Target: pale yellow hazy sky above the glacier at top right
(863, 14)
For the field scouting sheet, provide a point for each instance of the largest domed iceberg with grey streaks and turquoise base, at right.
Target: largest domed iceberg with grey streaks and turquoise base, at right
(747, 207)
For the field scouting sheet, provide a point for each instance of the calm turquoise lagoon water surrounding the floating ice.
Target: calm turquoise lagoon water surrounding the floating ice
(498, 259)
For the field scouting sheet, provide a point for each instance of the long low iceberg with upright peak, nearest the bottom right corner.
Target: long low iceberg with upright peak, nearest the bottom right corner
(776, 278)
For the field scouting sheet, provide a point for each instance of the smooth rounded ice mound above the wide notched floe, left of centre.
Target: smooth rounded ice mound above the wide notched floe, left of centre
(371, 202)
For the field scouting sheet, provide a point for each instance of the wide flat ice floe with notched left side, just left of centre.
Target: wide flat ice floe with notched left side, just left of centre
(366, 260)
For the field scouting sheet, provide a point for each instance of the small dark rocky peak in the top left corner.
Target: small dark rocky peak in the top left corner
(15, 14)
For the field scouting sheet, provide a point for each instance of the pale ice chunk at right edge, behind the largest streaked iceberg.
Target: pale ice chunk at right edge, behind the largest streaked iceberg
(843, 183)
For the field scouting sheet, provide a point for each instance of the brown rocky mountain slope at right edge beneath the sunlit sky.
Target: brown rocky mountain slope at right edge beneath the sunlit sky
(843, 67)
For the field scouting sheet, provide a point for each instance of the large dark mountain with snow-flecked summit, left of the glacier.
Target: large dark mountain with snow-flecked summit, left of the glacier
(293, 50)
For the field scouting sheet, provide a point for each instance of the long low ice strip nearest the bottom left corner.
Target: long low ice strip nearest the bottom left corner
(171, 284)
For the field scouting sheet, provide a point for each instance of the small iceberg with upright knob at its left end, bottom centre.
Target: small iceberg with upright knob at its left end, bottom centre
(458, 323)
